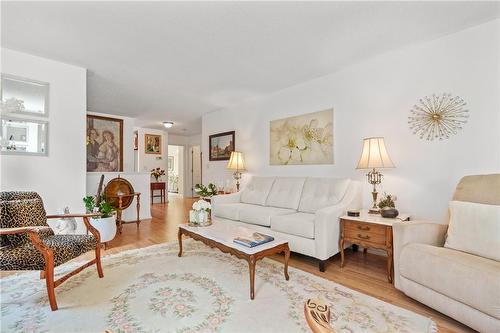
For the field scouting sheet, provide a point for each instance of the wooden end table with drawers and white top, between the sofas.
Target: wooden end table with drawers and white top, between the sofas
(369, 231)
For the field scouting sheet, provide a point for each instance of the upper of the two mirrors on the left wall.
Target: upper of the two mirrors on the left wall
(24, 96)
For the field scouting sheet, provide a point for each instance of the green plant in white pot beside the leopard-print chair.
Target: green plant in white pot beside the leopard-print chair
(106, 223)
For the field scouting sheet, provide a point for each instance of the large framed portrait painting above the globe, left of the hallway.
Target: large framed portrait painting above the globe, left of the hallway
(104, 144)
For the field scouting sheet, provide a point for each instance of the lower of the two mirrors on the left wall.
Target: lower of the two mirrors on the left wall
(19, 136)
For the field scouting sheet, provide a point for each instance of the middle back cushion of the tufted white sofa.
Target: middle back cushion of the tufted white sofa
(286, 192)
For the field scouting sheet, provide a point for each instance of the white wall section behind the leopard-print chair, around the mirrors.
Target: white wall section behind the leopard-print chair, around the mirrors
(59, 177)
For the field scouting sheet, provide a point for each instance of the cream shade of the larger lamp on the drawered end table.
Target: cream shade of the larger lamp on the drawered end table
(374, 155)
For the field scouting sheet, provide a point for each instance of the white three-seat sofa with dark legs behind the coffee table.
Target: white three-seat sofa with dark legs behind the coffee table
(305, 211)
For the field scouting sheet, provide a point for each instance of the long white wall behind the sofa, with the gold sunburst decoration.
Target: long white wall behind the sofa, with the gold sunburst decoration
(373, 98)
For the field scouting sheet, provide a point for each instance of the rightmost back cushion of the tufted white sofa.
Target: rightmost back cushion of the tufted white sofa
(322, 192)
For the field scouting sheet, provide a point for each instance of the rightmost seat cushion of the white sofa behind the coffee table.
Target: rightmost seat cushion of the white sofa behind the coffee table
(298, 224)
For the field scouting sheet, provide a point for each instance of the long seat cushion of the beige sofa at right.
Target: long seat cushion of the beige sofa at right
(464, 277)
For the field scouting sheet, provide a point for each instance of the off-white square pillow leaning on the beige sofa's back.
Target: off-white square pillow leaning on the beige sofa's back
(474, 228)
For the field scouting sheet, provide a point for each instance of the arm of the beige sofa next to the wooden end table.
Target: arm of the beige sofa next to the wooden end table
(422, 232)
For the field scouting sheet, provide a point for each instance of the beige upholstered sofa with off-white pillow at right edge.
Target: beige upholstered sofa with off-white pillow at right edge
(459, 283)
